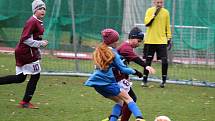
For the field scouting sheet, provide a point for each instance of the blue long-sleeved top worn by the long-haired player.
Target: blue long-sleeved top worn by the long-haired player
(105, 77)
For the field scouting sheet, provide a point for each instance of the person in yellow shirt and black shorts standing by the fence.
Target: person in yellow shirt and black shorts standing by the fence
(157, 39)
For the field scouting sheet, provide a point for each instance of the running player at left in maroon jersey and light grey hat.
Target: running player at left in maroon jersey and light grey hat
(28, 55)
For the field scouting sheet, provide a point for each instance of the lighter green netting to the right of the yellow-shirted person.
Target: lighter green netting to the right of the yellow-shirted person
(193, 24)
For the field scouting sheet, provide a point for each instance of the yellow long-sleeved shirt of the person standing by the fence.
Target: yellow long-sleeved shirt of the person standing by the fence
(159, 31)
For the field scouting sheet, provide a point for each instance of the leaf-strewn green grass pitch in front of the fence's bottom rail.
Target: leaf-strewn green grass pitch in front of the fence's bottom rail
(66, 99)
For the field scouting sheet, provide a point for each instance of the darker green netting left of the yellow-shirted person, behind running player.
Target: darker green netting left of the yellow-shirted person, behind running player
(90, 18)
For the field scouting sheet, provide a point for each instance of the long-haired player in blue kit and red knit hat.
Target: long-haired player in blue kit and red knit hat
(103, 79)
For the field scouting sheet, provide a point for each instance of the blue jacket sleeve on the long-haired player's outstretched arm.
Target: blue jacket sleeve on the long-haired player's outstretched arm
(118, 63)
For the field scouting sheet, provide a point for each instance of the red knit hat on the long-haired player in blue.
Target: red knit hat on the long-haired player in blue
(109, 36)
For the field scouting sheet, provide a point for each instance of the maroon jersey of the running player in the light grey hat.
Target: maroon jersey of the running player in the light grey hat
(24, 53)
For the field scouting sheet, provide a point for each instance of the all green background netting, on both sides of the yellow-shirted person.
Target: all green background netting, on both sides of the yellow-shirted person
(194, 25)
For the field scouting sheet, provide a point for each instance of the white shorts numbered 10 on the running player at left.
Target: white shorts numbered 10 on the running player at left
(31, 68)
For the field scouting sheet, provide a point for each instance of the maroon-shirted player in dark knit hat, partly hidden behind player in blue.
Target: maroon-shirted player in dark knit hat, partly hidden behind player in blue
(126, 50)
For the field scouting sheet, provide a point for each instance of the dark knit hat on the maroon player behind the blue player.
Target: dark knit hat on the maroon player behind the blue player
(136, 33)
